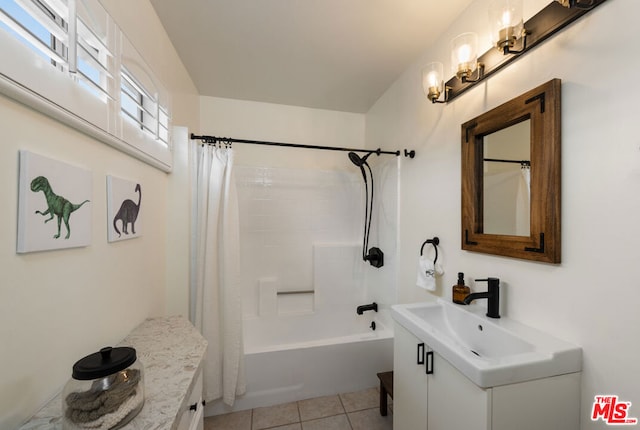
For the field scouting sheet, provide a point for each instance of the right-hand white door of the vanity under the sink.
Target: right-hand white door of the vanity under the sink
(454, 401)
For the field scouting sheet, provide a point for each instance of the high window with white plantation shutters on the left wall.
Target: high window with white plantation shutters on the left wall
(74, 57)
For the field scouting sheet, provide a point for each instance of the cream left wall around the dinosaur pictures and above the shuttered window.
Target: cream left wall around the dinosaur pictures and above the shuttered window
(57, 306)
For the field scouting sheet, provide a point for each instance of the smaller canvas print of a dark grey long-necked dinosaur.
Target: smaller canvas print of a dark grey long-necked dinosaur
(124, 202)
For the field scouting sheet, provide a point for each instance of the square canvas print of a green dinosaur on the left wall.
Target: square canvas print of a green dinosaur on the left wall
(54, 204)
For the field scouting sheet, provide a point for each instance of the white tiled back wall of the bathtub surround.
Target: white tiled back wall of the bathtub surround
(296, 228)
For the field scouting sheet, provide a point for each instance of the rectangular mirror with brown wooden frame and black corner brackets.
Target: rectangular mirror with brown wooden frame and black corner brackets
(511, 177)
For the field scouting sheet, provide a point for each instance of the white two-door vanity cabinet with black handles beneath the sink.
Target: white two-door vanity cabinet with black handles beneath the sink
(446, 399)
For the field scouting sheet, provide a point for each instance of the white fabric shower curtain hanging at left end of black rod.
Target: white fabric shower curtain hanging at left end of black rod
(216, 296)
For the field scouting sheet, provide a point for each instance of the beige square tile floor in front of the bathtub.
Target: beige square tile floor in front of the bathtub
(349, 411)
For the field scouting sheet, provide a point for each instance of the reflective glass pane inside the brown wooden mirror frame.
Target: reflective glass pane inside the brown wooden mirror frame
(506, 180)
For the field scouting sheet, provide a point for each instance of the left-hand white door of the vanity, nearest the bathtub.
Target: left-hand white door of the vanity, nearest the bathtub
(409, 382)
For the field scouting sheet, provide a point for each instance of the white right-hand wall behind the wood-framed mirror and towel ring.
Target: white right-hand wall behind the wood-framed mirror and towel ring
(589, 299)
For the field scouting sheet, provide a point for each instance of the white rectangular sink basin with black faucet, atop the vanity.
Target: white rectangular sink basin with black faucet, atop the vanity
(488, 351)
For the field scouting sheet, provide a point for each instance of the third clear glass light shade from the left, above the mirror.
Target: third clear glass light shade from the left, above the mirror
(506, 21)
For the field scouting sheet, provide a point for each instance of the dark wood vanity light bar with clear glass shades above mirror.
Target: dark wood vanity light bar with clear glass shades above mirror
(469, 68)
